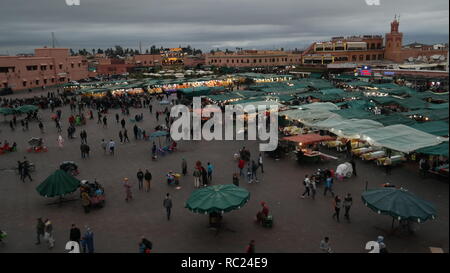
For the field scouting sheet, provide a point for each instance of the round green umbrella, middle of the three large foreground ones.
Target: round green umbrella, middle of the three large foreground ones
(217, 199)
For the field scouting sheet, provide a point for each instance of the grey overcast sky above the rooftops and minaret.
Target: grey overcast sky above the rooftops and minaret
(206, 24)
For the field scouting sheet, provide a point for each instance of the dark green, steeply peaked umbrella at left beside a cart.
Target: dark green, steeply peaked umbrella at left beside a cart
(58, 184)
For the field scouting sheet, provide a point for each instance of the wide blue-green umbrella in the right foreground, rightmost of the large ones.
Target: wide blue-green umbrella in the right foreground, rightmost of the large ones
(399, 203)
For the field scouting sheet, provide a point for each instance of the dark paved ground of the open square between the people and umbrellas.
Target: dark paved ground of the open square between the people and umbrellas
(299, 224)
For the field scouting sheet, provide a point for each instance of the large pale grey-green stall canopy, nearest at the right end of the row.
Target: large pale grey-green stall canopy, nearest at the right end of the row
(400, 138)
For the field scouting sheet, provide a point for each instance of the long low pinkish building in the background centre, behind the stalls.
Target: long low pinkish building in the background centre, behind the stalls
(253, 58)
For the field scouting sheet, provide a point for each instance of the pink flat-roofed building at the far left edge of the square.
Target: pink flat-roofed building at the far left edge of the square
(48, 66)
